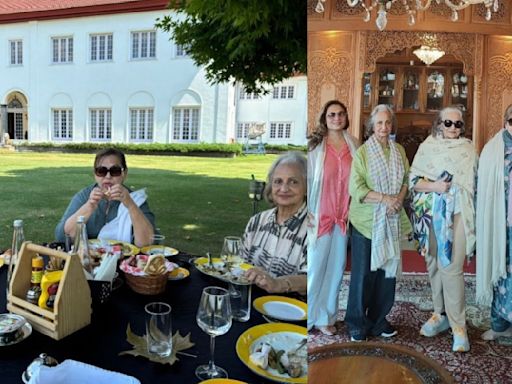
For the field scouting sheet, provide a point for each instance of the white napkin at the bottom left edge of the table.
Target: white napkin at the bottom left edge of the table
(76, 372)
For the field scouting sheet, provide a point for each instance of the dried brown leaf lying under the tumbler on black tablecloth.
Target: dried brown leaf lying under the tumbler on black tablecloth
(179, 343)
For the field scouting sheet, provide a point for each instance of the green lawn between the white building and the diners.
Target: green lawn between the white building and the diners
(196, 200)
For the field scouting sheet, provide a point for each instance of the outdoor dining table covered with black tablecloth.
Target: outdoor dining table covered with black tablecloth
(101, 342)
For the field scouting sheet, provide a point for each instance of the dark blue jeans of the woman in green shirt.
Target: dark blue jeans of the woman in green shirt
(371, 296)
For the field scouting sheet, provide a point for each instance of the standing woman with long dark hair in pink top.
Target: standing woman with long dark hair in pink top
(330, 156)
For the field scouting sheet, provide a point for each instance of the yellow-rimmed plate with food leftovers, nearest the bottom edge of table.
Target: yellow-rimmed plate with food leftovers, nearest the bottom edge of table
(273, 332)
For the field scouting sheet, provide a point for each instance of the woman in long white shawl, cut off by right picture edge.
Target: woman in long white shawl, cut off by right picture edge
(494, 230)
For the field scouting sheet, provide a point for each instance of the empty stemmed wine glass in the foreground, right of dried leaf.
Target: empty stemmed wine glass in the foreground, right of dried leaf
(214, 318)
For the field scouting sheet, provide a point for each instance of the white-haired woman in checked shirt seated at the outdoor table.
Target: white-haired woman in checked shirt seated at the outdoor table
(275, 240)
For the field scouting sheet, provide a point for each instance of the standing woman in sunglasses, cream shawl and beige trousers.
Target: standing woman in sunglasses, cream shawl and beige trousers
(442, 183)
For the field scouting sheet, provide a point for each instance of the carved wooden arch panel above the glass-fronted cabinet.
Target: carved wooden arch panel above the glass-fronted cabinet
(378, 44)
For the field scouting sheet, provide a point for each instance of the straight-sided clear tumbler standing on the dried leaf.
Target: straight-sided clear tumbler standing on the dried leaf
(159, 328)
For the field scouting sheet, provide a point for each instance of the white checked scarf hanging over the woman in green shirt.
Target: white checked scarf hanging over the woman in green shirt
(387, 177)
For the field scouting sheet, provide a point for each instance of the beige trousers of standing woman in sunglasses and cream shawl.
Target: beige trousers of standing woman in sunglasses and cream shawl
(448, 283)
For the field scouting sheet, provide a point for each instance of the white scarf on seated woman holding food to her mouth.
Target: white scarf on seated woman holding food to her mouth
(120, 228)
